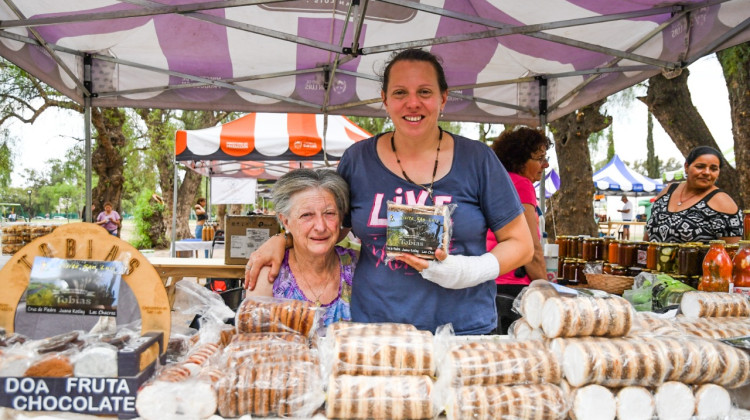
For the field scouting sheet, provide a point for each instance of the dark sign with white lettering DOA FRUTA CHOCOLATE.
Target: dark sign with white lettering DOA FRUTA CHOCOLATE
(79, 395)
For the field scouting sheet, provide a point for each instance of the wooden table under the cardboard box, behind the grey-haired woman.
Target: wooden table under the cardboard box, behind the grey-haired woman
(172, 270)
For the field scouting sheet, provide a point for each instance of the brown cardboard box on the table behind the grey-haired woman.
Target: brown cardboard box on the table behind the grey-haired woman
(244, 234)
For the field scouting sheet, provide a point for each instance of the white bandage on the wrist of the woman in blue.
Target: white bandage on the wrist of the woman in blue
(460, 271)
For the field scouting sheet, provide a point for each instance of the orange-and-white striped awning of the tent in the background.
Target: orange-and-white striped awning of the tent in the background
(265, 145)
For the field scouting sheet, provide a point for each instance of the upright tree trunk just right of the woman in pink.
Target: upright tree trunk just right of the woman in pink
(571, 210)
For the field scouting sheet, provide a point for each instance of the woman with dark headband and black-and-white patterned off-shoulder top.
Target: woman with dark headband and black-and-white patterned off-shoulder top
(696, 209)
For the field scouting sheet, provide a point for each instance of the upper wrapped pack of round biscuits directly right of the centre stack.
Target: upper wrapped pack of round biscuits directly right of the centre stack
(493, 363)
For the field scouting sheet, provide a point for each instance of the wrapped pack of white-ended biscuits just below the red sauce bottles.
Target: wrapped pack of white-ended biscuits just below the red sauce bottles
(714, 304)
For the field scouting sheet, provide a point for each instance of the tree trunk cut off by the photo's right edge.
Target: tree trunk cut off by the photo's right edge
(735, 63)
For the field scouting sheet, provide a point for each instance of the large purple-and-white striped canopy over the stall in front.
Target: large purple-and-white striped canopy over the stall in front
(325, 56)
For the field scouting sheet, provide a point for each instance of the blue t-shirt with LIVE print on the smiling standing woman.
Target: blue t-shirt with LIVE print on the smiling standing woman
(391, 291)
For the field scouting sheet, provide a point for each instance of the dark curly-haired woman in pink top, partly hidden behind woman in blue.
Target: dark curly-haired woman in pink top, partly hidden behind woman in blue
(523, 152)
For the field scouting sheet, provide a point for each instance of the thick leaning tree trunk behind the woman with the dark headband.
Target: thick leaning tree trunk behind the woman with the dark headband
(670, 102)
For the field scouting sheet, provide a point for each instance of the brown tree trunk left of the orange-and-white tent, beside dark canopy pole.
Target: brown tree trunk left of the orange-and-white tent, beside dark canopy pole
(107, 160)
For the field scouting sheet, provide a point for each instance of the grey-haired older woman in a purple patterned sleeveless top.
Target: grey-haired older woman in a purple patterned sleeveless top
(311, 204)
